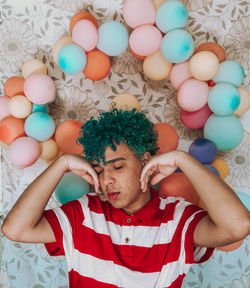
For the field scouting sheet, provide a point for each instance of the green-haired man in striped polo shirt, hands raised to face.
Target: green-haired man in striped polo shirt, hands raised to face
(129, 236)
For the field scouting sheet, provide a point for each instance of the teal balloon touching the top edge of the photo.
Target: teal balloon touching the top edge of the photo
(171, 15)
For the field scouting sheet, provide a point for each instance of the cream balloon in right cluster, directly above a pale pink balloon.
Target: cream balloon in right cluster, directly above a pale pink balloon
(204, 65)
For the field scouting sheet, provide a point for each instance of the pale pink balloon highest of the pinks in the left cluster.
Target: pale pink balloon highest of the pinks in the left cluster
(39, 88)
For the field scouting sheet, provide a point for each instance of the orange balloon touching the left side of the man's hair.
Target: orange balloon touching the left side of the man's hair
(66, 135)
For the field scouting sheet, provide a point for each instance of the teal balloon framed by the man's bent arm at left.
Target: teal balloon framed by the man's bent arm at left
(71, 187)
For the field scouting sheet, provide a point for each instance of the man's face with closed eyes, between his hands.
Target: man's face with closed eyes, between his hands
(119, 179)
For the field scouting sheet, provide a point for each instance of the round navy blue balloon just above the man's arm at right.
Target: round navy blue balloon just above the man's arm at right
(203, 150)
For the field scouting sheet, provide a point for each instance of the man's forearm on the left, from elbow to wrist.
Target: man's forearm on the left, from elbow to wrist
(28, 210)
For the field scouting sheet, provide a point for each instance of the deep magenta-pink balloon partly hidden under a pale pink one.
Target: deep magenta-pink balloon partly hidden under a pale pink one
(196, 119)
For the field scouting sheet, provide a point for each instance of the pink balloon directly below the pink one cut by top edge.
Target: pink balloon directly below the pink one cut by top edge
(145, 40)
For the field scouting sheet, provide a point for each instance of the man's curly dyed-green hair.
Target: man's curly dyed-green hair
(114, 127)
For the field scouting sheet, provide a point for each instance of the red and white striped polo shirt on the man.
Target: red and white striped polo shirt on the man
(105, 247)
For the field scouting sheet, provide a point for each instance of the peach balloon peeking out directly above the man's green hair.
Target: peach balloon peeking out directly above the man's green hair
(125, 102)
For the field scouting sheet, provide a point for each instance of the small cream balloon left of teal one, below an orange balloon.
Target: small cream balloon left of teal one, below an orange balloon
(20, 106)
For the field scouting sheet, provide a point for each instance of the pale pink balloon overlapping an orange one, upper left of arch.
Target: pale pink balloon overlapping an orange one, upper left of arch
(85, 35)
